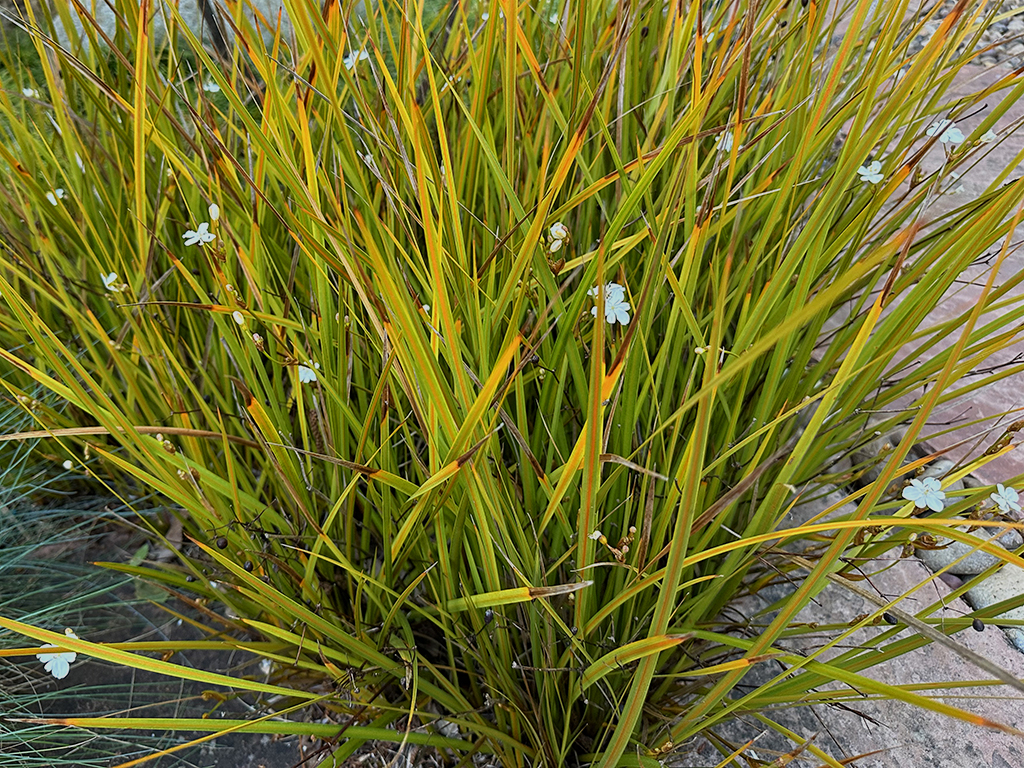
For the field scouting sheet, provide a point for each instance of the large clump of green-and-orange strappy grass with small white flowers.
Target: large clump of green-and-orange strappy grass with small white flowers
(352, 318)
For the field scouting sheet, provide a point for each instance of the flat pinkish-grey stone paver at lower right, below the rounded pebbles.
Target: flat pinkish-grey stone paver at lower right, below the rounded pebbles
(889, 734)
